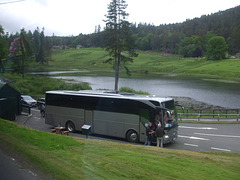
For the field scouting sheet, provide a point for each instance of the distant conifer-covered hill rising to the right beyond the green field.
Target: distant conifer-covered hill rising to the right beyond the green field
(170, 38)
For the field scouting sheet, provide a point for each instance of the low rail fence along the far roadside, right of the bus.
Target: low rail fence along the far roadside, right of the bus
(210, 114)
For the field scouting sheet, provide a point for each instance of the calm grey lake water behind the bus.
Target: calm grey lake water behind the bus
(211, 92)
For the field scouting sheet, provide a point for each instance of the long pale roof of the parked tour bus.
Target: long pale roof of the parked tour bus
(111, 94)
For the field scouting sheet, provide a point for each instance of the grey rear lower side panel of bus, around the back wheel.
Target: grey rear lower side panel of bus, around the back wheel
(60, 115)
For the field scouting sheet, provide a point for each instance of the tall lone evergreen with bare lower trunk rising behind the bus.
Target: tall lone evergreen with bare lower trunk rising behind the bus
(119, 41)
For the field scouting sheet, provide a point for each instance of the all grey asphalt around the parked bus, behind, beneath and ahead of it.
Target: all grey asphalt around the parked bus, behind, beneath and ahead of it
(193, 137)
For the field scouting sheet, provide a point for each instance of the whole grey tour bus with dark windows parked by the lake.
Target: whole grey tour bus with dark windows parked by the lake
(123, 115)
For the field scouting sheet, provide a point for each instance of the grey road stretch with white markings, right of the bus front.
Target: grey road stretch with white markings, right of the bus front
(208, 137)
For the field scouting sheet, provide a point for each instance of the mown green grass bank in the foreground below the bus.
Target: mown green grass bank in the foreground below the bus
(66, 157)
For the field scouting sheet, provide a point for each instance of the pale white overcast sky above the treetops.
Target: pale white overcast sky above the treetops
(72, 17)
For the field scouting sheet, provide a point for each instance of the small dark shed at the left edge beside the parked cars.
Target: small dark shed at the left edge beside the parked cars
(10, 102)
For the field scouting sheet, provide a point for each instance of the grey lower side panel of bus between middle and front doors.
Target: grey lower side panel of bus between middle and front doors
(114, 124)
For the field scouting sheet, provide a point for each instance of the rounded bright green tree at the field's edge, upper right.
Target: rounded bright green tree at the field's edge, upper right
(216, 48)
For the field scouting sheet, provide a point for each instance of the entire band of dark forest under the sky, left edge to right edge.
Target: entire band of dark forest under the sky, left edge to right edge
(192, 38)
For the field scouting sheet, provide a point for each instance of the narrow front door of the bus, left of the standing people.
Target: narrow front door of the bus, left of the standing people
(143, 123)
